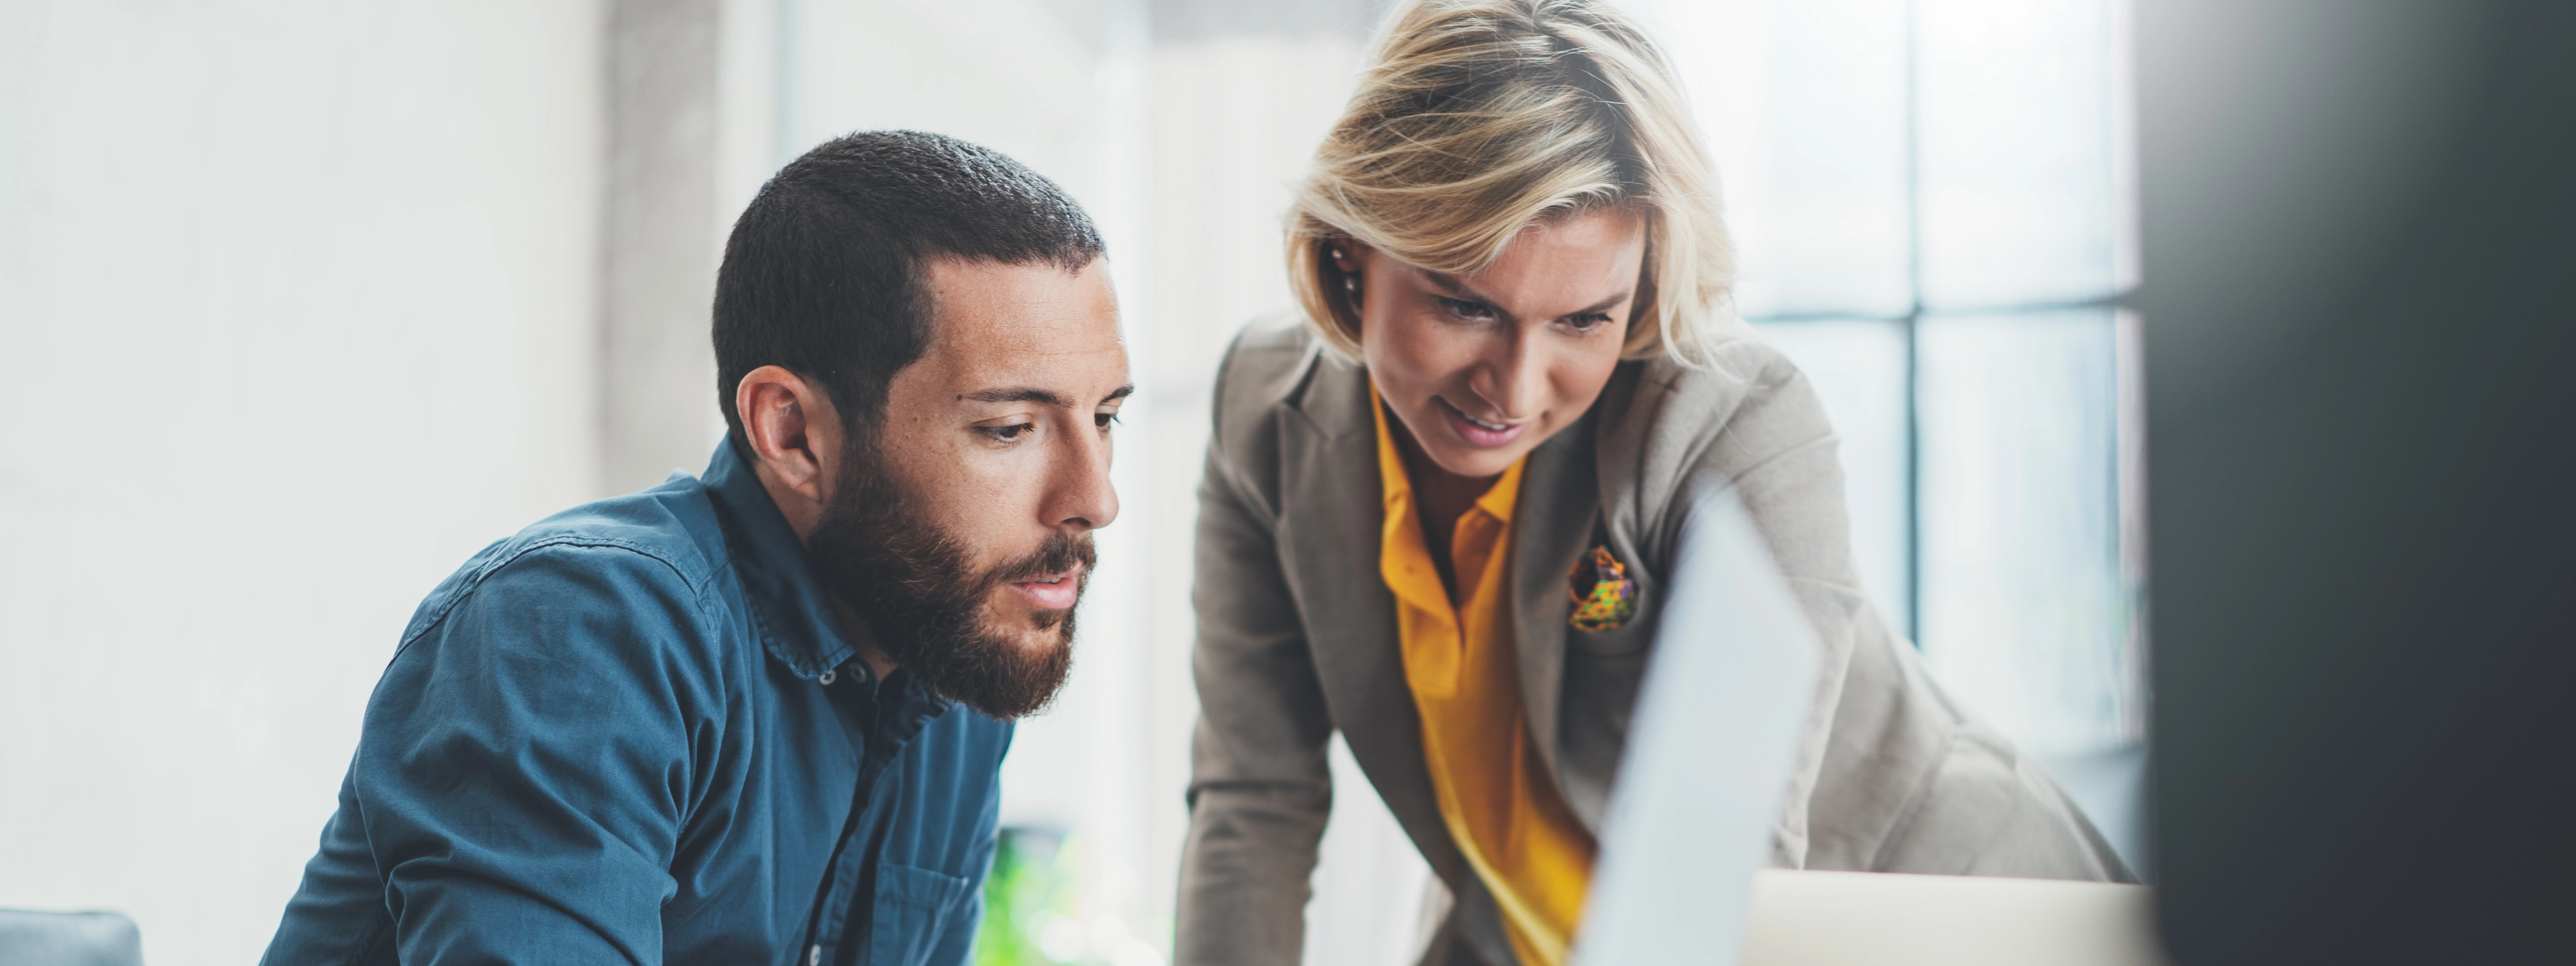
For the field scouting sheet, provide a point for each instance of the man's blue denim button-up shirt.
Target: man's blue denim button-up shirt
(632, 735)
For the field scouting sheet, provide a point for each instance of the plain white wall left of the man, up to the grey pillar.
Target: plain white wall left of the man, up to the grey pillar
(295, 316)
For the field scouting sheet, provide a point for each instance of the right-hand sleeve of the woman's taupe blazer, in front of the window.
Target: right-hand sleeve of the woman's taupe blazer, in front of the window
(1892, 774)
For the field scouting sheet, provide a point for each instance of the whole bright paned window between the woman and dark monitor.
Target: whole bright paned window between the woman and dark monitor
(1936, 213)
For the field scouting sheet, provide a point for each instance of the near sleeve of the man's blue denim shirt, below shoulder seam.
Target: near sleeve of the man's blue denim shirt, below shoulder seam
(529, 761)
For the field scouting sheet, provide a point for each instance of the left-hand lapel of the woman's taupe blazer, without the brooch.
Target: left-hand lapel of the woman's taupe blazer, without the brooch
(1333, 516)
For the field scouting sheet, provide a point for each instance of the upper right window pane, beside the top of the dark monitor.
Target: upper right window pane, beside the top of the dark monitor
(2021, 138)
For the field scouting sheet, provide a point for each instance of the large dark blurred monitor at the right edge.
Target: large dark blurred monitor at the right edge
(2361, 354)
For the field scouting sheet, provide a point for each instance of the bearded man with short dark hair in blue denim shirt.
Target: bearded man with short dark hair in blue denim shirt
(759, 715)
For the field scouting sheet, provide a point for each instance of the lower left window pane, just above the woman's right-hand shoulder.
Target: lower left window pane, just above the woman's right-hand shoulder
(1861, 372)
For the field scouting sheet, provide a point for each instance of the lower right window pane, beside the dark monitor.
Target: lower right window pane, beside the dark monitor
(2023, 601)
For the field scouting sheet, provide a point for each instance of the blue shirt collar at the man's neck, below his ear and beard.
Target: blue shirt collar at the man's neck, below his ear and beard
(792, 612)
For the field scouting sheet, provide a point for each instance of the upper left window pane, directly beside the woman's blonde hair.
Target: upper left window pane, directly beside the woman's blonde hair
(1804, 104)
